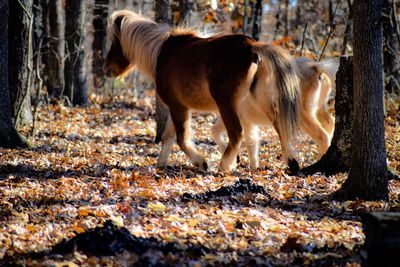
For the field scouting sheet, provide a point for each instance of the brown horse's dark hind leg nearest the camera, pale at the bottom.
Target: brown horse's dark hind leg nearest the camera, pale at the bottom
(234, 130)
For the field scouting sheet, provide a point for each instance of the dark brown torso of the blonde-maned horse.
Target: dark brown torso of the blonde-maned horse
(195, 71)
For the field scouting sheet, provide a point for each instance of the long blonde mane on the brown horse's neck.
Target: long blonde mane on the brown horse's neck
(141, 39)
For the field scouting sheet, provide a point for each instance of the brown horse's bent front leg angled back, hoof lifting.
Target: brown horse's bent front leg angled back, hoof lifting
(181, 118)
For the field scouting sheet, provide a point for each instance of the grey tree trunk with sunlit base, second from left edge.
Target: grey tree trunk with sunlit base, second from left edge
(20, 61)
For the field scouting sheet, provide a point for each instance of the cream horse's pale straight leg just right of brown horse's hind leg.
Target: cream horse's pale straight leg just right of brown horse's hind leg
(251, 137)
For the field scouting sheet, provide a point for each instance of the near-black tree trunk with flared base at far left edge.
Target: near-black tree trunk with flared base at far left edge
(9, 136)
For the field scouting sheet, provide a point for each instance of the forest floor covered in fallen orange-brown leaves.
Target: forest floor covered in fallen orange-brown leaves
(97, 164)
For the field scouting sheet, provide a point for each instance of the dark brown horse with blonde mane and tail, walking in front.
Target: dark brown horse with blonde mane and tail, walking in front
(207, 75)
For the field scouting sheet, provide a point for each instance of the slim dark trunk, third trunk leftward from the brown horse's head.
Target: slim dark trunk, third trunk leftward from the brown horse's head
(56, 50)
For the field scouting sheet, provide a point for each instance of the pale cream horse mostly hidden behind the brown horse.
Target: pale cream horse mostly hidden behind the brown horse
(317, 82)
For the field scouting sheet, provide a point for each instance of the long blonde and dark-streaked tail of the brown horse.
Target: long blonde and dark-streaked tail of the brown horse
(287, 89)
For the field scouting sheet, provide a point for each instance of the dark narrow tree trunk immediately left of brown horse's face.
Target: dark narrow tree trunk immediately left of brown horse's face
(100, 15)
